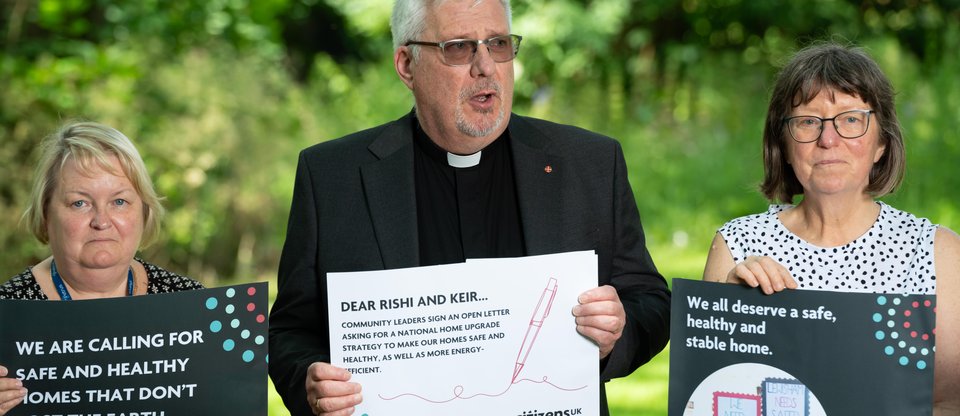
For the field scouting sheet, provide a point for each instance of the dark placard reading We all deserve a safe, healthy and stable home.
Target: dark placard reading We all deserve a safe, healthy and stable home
(852, 353)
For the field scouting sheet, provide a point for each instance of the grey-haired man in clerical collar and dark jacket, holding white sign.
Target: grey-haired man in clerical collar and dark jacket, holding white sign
(459, 177)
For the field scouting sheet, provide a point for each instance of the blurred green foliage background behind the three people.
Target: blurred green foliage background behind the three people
(220, 96)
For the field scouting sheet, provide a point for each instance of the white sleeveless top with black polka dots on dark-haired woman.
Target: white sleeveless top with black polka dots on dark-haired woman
(894, 256)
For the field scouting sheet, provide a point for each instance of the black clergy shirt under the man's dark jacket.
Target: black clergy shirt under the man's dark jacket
(468, 212)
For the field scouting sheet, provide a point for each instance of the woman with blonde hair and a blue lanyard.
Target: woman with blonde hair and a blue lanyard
(94, 205)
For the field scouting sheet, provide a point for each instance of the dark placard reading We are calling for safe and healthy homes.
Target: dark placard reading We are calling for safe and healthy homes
(201, 352)
